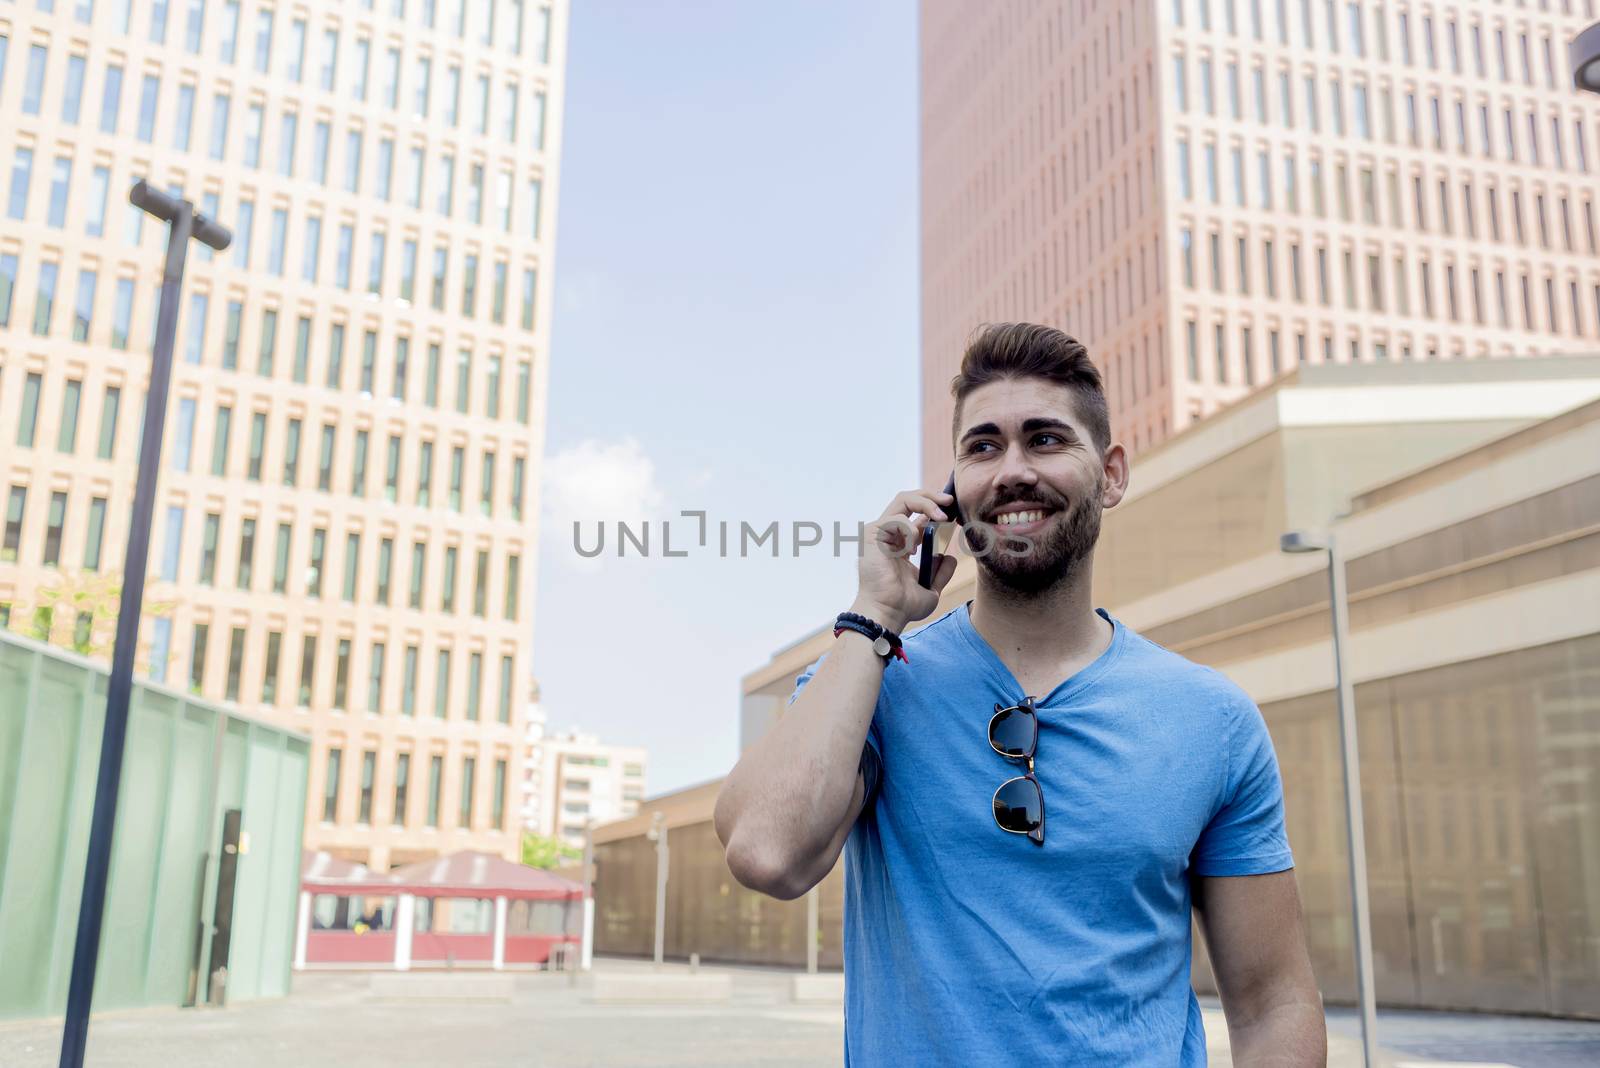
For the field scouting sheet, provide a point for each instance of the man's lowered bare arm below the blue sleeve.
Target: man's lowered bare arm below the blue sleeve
(1257, 939)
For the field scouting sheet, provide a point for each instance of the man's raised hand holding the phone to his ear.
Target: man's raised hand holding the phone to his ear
(889, 591)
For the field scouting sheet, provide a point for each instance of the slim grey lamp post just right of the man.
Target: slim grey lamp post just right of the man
(1305, 543)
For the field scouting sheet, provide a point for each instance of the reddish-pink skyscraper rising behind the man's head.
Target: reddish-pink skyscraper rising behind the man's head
(1210, 193)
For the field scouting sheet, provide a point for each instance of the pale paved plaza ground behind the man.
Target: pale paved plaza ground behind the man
(335, 1021)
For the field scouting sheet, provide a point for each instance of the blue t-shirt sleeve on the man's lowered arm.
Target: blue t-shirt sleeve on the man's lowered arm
(1246, 835)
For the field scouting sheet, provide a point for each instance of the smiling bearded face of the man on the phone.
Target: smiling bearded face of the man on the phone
(1028, 468)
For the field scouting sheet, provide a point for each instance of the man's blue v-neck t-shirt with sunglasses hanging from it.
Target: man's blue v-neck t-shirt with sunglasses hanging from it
(970, 946)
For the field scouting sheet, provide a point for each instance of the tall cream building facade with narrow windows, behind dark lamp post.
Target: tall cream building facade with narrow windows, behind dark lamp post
(346, 519)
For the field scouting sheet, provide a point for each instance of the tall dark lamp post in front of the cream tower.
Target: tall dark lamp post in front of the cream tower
(183, 223)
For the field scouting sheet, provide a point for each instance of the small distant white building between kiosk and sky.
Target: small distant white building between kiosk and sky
(572, 779)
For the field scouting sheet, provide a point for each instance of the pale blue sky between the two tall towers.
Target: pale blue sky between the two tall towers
(735, 332)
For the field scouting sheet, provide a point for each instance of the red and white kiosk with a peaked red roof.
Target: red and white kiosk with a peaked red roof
(465, 911)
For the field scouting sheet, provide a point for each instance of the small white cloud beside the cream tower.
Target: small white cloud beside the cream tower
(593, 484)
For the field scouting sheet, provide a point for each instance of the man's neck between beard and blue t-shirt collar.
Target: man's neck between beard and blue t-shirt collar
(1052, 631)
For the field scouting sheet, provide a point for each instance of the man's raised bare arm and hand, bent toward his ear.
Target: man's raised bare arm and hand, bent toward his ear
(788, 807)
